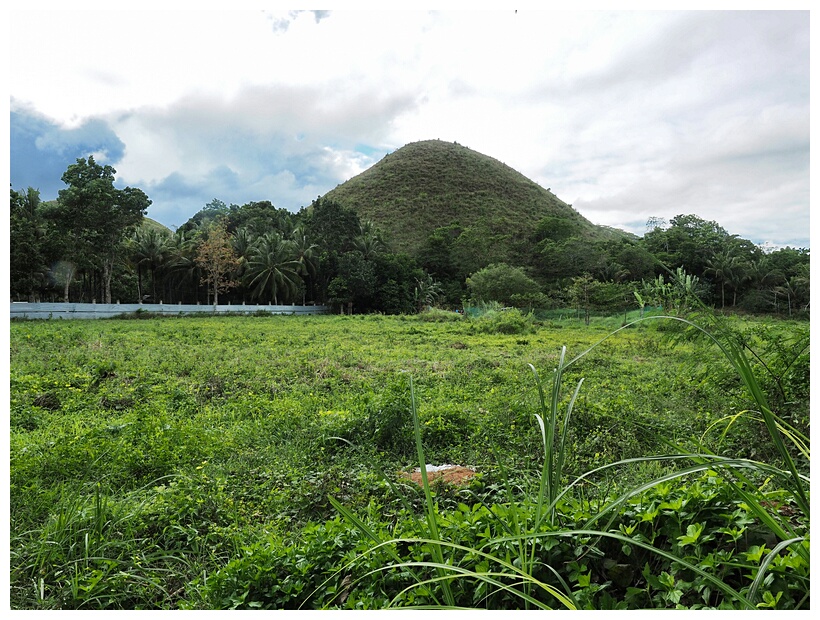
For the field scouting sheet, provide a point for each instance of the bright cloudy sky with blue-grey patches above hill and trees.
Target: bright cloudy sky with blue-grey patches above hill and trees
(625, 115)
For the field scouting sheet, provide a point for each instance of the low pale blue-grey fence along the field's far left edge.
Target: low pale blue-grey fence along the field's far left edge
(25, 310)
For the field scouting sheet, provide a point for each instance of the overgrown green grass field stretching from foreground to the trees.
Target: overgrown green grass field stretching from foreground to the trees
(190, 463)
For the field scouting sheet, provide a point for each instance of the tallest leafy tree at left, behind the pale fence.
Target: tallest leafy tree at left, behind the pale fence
(95, 217)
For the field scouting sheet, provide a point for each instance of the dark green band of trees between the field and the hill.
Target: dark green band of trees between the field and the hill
(93, 243)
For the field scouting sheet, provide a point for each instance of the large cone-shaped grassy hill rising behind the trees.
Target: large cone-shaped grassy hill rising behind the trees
(431, 184)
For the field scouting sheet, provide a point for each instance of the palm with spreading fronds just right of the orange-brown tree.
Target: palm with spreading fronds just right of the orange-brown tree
(272, 267)
